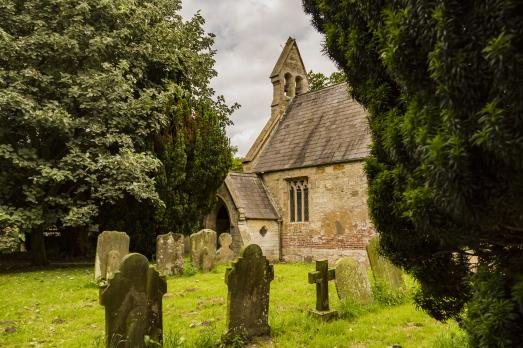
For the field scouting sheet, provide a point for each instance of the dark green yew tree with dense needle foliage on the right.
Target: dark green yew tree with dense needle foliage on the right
(442, 83)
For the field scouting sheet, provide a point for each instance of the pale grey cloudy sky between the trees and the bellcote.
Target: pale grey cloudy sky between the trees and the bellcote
(250, 35)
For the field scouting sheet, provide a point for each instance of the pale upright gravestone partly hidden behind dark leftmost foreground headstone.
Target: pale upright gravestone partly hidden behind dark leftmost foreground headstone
(111, 247)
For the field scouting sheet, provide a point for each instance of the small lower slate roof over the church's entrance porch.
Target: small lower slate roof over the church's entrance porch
(249, 193)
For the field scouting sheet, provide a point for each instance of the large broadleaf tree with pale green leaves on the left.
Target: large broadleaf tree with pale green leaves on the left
(85, 87)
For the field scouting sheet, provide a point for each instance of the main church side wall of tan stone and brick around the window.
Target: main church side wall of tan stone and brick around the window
(339, 223)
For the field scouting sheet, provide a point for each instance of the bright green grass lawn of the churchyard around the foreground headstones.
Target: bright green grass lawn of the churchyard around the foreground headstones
(59, 308)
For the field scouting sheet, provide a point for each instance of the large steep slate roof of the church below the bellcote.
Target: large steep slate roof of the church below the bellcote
(320, 127)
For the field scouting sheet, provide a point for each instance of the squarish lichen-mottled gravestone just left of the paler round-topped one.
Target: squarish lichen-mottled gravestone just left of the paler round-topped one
(169, 253)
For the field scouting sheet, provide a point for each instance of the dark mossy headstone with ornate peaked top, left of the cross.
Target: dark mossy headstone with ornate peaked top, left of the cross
(248, 281)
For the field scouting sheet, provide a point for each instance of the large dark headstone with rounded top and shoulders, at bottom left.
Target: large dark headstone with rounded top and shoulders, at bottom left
(133, 303)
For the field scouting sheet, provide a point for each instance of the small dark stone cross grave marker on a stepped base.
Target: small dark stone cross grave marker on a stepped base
(321, 278)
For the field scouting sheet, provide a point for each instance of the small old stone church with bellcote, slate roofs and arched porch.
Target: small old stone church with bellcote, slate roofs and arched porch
(302, 195)
